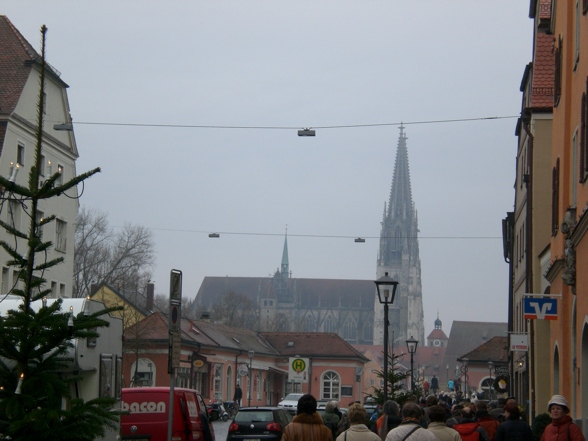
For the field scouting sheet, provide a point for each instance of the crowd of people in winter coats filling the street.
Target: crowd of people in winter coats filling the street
(434, 420)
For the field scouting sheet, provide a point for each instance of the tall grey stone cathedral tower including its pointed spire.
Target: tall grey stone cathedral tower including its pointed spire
(399, 257)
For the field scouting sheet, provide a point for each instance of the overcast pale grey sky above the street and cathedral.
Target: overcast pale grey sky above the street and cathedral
(298, 64)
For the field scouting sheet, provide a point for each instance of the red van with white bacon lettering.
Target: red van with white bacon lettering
(148, 409)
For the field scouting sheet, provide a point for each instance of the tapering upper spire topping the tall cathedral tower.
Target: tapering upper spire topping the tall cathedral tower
(400, 204)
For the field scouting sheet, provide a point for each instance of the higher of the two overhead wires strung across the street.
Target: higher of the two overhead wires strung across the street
(342, 126)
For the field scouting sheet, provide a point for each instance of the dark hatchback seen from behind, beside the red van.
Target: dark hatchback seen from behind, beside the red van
(259, 423)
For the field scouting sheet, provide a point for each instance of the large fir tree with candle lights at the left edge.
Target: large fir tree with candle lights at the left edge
(35, 398)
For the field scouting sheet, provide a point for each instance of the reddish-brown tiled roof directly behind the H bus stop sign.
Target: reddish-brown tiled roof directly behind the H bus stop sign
(312, 343)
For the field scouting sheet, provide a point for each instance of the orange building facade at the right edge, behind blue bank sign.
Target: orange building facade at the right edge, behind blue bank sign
(561, 363)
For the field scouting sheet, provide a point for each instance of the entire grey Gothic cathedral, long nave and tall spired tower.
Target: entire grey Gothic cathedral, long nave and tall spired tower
(348, 308)
